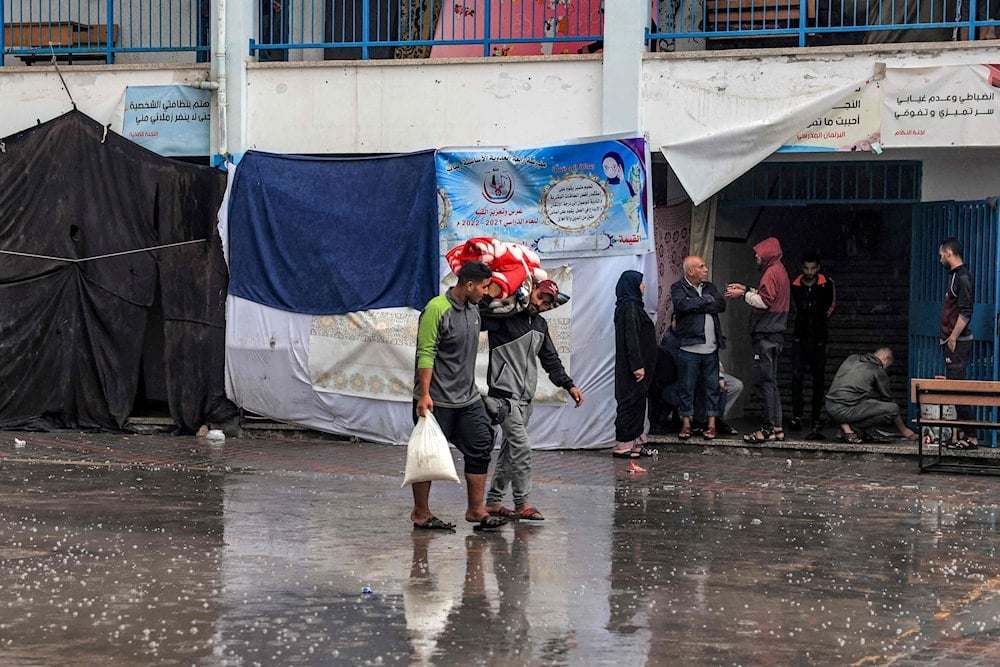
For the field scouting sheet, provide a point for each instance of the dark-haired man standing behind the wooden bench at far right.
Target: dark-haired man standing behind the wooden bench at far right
(956, 338)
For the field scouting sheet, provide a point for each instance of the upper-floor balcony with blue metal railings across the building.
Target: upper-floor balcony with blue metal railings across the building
(175, 31)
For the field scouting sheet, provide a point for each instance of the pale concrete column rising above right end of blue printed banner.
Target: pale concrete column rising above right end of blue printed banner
(625, 23)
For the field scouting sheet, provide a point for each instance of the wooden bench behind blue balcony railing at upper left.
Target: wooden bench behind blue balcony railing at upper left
(72, 41)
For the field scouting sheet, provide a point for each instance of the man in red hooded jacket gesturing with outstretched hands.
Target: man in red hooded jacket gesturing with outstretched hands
(769, 305)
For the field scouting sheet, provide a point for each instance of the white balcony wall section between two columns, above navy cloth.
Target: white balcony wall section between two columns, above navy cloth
(378, 106)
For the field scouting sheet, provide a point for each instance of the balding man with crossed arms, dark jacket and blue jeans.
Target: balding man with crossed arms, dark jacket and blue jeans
(697, 304)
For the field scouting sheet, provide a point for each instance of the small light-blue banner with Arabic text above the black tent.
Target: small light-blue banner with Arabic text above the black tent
(169, 120)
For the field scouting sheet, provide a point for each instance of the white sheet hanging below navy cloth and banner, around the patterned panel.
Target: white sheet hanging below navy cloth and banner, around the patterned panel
(267, 368)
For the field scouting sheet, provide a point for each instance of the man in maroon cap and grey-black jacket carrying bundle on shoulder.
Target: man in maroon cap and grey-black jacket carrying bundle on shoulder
(517, 344)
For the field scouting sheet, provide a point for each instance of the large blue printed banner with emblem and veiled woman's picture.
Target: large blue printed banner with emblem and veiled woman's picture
(576, 200)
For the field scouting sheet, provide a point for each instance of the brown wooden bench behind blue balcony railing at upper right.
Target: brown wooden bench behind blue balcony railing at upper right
(726, 16)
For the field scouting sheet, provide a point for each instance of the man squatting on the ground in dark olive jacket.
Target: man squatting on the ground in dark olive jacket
(859, 397)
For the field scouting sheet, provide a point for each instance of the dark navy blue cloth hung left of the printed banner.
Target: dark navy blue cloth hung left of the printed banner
(326, 236)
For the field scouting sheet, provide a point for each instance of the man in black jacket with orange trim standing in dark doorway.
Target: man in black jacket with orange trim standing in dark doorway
(815, 298)
